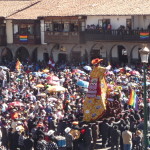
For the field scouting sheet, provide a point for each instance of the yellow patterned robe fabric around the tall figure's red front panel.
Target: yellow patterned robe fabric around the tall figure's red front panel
(94, 108)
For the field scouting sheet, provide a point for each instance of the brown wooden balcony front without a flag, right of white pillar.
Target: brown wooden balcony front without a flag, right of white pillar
(62, 37)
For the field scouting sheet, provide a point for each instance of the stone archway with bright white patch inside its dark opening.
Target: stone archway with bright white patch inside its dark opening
(118, 54)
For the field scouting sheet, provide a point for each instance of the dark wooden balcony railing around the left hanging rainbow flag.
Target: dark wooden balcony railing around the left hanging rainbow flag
(31, 39)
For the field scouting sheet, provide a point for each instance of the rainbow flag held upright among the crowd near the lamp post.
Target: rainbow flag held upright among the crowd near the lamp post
(133, 100)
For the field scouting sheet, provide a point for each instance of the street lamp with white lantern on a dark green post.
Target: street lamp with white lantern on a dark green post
(144, 53)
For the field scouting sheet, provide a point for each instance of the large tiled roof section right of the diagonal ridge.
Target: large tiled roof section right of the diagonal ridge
(83, 7)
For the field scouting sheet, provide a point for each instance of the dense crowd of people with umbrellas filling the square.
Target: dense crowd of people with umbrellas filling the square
(36, 116)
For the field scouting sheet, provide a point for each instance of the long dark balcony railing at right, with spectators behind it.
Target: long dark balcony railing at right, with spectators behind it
(115, 35)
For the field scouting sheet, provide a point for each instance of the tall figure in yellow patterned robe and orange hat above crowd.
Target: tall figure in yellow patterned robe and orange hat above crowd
(94, 105)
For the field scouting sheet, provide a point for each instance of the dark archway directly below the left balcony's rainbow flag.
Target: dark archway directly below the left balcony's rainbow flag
(22, 54)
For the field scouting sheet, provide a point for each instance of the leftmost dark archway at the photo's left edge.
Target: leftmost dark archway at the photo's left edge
(6, 55)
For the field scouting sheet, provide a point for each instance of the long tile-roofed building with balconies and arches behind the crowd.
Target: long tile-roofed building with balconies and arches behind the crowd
(76, 31)
